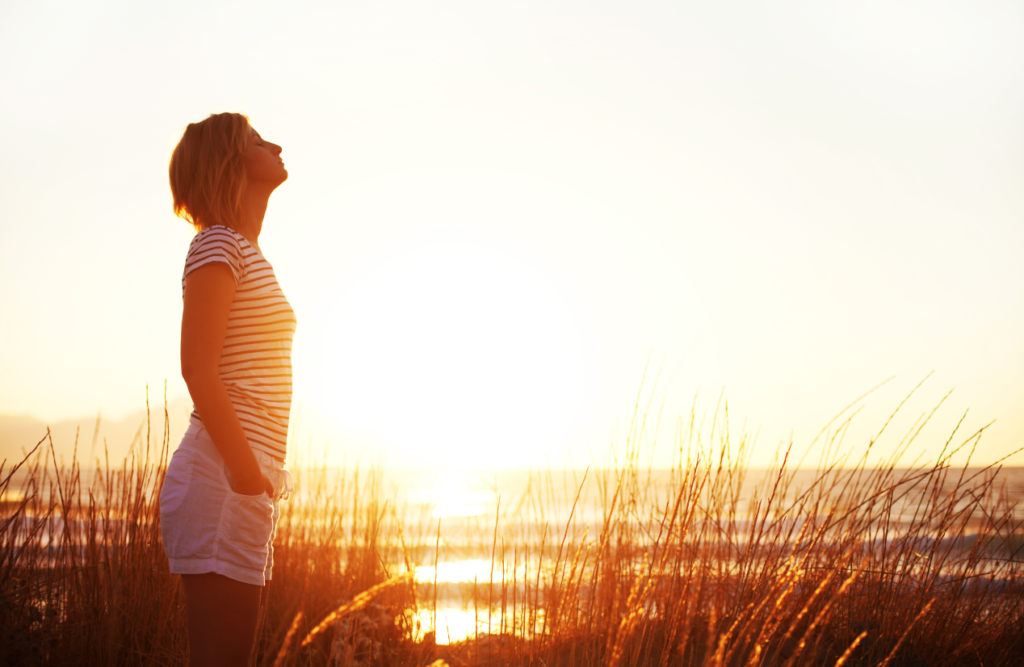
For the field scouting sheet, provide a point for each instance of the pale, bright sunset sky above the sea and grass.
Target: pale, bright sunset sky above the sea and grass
(505, 220)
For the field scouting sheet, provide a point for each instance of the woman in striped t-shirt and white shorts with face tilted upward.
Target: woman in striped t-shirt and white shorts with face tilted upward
(221, 499)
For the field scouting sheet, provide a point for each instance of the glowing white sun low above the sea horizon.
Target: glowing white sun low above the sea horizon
(456, 355)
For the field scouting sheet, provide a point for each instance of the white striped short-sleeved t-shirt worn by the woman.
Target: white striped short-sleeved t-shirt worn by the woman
(257, 360)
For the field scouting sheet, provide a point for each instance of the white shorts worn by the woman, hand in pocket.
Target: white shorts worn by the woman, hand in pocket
(206, 527)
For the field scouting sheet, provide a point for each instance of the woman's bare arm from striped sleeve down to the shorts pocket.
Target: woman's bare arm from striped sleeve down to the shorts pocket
(209, 291)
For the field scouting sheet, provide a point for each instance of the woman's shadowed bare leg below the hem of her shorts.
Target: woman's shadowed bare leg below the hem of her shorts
(223, 617)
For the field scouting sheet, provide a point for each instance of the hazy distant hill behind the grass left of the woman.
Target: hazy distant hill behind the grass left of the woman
(19, 434)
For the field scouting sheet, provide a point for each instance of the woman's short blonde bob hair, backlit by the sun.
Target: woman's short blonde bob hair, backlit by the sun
(208, 173)
